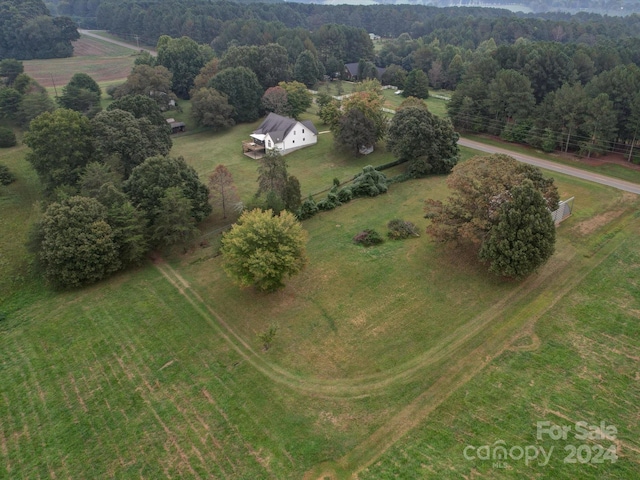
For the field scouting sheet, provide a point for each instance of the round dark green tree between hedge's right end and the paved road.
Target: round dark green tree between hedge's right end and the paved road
(428, 142)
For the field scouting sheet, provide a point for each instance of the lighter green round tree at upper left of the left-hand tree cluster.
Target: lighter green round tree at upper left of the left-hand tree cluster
(61, 146)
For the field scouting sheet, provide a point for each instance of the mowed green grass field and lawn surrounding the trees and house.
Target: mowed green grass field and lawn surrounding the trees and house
(388, 361)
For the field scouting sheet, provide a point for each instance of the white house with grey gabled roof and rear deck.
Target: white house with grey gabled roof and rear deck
(280, 133)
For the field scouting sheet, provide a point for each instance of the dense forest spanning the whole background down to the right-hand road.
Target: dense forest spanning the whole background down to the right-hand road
(555, 81)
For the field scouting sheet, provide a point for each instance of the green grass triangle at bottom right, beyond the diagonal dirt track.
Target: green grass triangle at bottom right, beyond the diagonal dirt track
(578, 363)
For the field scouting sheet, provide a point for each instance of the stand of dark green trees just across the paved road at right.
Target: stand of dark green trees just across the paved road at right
(542, 94)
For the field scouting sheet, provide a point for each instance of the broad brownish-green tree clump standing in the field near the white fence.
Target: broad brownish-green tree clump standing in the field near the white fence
(482, 209)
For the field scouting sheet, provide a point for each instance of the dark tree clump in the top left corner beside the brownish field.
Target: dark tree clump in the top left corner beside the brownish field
(27, 30)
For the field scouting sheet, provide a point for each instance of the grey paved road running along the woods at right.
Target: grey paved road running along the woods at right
(556, 167)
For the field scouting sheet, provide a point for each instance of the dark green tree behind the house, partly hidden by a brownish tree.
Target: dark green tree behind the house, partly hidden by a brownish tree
(243, 91)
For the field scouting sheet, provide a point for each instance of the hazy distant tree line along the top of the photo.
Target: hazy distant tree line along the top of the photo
(250, 23)
